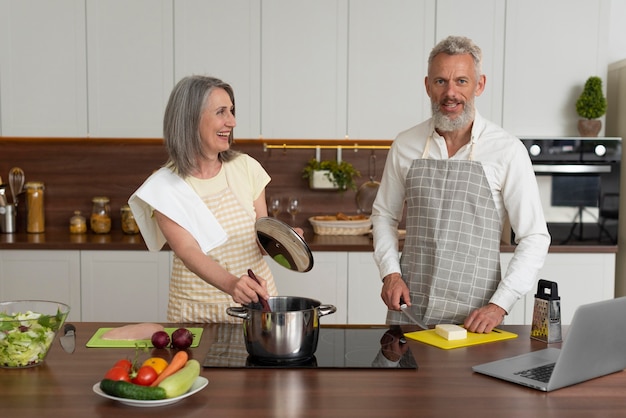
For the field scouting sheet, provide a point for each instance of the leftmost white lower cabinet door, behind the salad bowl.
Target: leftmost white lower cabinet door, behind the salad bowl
(43, 275)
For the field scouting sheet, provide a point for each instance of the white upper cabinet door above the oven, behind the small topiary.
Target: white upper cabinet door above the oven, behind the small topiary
(552, 47)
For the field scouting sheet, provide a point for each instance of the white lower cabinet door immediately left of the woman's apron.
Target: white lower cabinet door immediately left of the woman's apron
(125, 286)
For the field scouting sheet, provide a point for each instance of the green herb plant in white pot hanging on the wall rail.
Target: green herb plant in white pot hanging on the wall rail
(330, 174)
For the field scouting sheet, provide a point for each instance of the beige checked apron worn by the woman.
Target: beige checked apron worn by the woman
(191, 299)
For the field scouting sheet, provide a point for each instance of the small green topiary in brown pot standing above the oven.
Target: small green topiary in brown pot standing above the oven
(590, 106)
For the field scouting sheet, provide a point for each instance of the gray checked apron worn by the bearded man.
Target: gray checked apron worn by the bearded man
(451, 255)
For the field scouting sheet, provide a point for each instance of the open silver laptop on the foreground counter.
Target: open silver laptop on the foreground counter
(595, 345)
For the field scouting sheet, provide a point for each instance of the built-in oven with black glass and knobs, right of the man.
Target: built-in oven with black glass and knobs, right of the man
(578, 180)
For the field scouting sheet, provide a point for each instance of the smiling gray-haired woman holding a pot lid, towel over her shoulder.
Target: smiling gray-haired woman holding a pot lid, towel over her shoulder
(204, 203)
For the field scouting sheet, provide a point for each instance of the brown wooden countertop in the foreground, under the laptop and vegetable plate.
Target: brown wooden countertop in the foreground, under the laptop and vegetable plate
(442, 386)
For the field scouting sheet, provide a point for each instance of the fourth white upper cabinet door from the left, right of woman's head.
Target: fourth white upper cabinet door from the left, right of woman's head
(303, 69)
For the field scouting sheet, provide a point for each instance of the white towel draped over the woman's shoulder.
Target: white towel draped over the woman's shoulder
(172, 196)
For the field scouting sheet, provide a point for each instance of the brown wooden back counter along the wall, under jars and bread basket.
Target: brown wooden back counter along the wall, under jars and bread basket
(58, 239)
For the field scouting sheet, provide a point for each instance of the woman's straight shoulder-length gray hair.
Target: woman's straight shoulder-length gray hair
(181, 122)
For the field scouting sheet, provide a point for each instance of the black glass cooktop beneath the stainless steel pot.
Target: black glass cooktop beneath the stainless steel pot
(358, 348)
